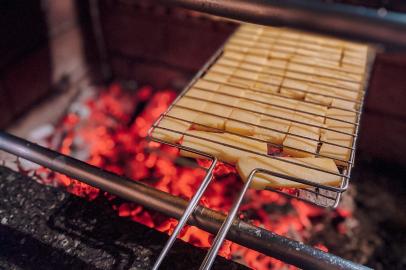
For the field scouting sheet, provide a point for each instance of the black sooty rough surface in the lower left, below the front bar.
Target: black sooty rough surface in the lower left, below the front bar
(47, 228)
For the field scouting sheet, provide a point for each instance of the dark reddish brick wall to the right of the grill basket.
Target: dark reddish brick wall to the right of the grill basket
(383, 129)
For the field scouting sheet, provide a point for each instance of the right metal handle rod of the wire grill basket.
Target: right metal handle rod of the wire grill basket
(225, 227)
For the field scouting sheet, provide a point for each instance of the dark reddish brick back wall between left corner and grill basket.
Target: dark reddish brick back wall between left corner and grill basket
(157, 45)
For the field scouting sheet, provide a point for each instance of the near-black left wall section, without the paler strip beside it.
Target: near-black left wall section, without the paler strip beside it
(24, 56)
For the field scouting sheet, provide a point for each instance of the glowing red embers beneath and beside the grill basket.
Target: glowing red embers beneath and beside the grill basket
(105, 136)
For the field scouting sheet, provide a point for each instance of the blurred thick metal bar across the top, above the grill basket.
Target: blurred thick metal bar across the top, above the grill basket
(344, 21)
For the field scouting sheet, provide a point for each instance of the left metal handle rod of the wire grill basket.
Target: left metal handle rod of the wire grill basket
(189, 210)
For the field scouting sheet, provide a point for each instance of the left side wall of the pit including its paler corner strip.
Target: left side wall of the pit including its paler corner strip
(40, 45)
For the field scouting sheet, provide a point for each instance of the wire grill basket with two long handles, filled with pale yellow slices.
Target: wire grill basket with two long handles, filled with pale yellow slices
(289, 93)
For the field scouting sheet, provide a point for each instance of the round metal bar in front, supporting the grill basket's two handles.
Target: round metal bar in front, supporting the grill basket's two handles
(242, 233)
